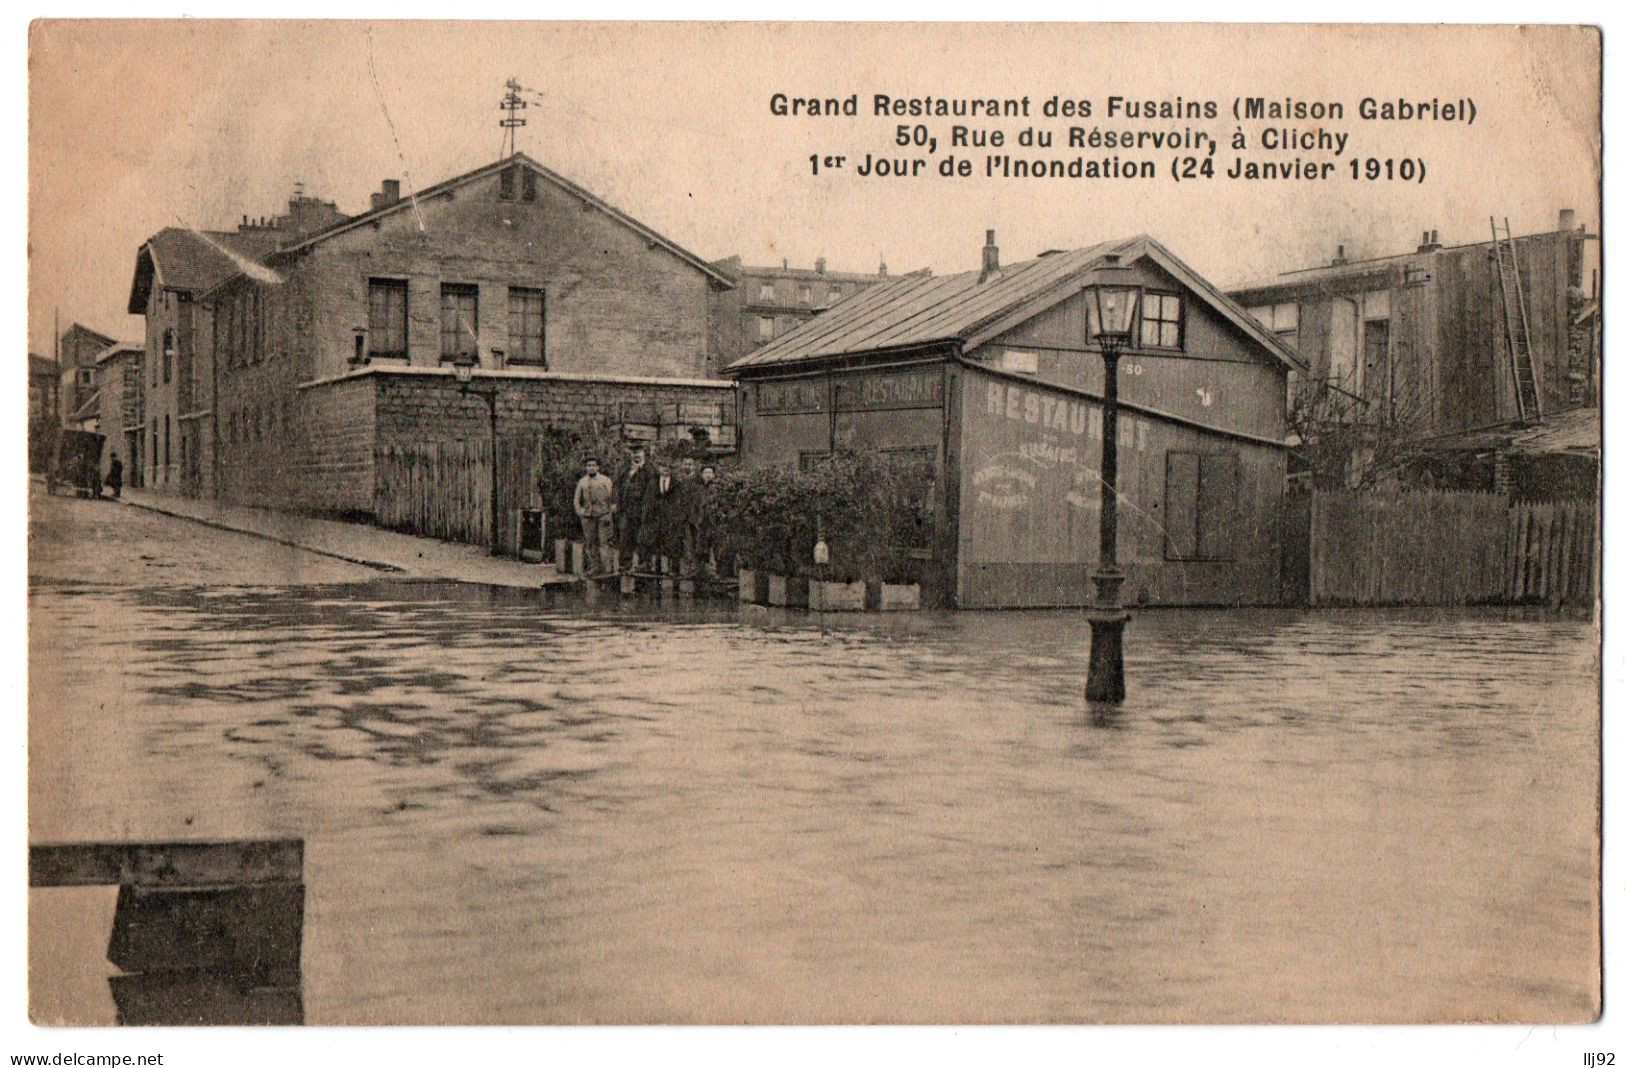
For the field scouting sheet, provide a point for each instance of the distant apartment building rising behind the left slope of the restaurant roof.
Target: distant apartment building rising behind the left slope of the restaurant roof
(771, 302)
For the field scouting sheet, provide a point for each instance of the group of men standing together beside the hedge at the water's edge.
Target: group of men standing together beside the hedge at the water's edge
(649, 518)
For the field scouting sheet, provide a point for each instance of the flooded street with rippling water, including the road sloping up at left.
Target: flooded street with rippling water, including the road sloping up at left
(526, 809)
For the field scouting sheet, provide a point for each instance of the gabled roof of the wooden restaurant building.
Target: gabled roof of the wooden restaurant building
(922, 311)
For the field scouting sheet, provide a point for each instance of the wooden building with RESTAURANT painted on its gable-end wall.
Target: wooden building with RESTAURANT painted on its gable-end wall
(995, 380)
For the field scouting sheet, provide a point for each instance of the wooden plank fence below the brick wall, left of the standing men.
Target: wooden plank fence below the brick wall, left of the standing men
(443, 490)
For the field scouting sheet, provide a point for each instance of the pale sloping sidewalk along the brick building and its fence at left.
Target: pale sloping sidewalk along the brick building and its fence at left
(371, 547)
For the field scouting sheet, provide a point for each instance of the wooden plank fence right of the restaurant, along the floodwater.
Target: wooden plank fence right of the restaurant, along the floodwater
(1450, 549)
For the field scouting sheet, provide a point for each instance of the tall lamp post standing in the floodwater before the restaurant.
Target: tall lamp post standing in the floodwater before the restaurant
(1112, 306)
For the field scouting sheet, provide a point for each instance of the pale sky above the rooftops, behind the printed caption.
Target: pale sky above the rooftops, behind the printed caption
(142, 126)
